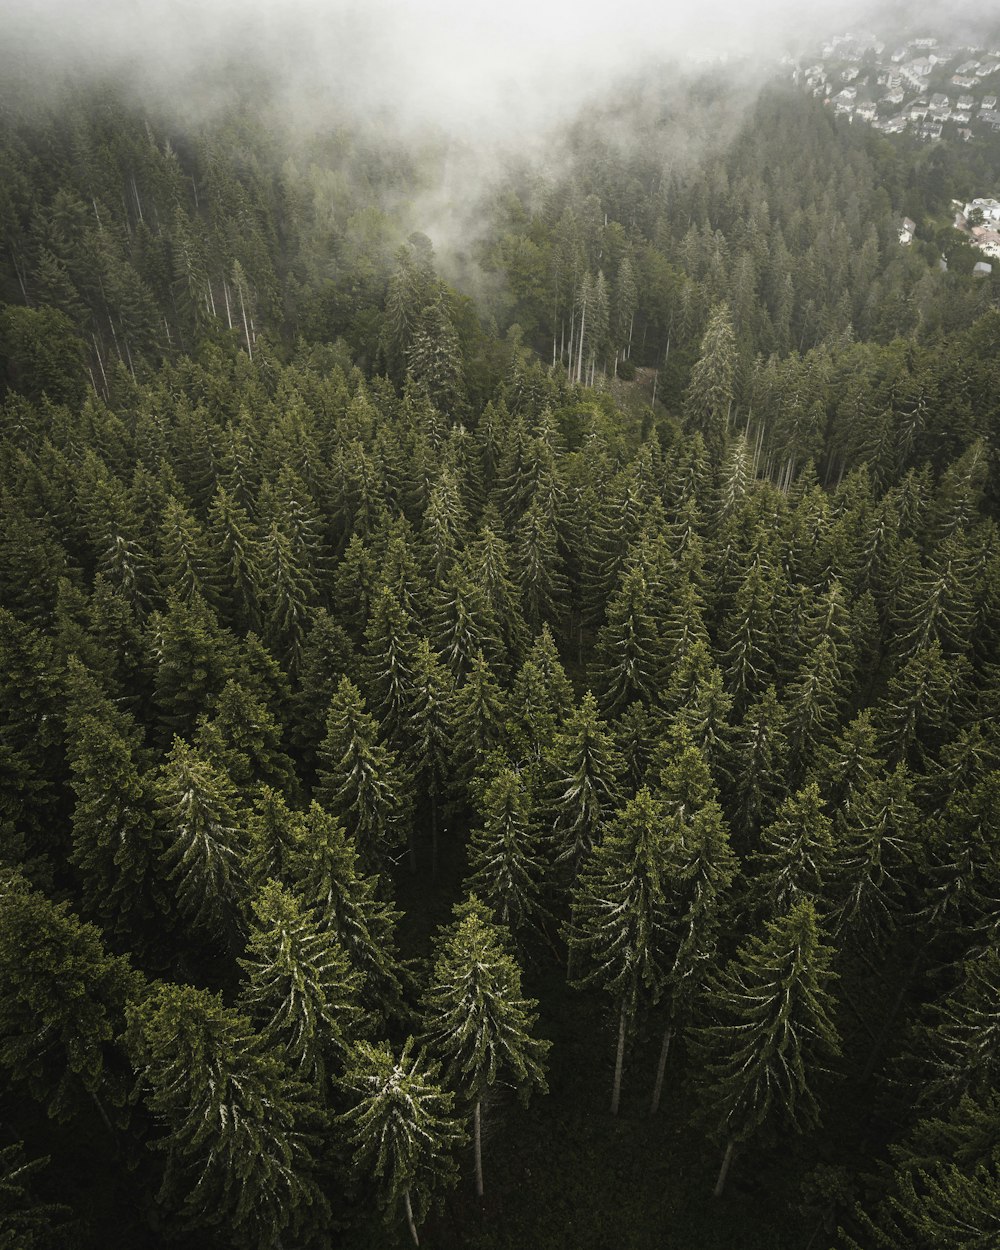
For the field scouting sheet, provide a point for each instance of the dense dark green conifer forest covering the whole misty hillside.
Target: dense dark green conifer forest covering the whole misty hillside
(499, 741)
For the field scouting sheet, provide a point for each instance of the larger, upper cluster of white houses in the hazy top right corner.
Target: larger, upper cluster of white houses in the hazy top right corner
(924, 87)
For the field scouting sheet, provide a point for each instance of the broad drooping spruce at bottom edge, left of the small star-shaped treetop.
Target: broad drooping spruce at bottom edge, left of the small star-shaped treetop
(239, 1132)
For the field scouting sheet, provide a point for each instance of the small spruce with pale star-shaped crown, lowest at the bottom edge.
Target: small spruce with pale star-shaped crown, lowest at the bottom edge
(402, 1127)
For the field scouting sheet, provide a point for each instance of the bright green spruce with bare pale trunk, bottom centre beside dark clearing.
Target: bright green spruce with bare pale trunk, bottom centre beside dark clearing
(476, 1017)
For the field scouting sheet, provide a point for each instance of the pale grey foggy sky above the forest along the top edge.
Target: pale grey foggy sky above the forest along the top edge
(454, 62)
